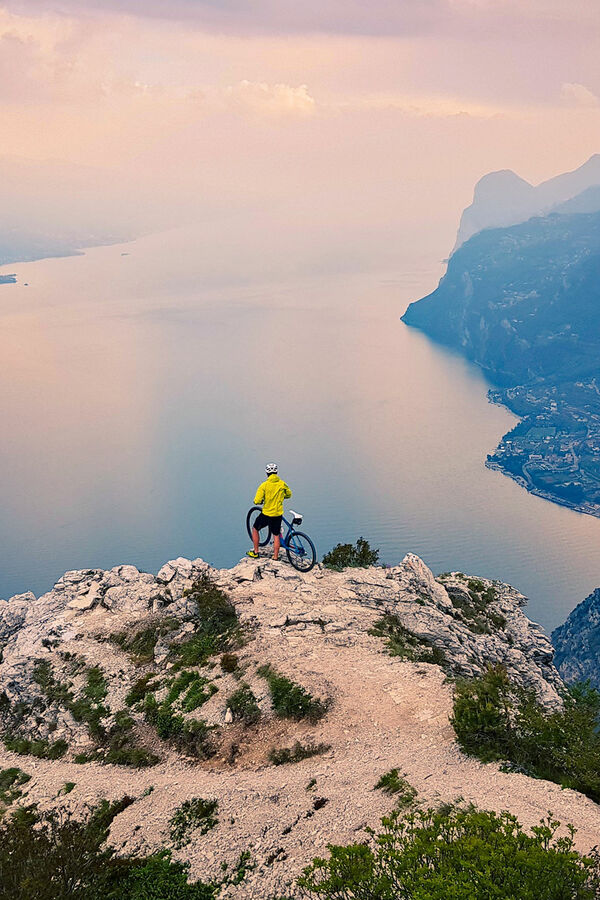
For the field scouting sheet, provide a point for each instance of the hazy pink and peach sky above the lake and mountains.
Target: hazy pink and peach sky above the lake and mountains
(328, 135)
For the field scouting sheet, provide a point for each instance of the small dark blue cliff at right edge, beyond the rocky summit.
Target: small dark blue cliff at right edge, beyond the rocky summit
(577, 642)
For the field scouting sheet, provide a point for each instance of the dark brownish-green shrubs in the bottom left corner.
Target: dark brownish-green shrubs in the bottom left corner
(50, 855)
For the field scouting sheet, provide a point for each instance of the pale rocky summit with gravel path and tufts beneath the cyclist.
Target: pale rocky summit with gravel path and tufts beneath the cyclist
(279, 698)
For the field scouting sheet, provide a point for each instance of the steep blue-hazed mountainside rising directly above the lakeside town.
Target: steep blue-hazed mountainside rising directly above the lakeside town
(523, 302)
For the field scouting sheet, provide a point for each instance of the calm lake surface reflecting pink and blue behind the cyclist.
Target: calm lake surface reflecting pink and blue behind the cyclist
(139, 406)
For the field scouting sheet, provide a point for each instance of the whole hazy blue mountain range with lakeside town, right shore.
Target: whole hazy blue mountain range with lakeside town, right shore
(523, 301)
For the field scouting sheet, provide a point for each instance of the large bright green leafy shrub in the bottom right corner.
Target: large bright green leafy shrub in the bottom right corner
(454, 854)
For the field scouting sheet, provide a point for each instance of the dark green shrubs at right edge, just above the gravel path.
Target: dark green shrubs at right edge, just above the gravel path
(497, 720)
